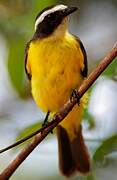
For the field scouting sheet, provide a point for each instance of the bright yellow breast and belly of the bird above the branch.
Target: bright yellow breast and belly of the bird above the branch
(56, 70)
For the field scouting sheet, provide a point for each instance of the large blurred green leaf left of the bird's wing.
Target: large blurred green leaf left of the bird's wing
(16, 64)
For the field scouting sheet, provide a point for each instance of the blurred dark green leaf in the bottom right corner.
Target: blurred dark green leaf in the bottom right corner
(107, 146)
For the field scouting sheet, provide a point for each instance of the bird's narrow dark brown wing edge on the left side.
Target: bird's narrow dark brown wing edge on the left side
(26, 56)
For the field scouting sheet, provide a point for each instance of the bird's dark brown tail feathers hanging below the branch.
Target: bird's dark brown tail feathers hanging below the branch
(73, 156)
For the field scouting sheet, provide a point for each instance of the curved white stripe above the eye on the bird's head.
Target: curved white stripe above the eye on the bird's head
(44, 14)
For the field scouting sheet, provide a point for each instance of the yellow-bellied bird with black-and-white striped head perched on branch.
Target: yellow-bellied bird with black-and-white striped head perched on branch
(56, 65)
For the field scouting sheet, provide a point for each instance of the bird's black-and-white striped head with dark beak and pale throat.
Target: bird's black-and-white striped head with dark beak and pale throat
(52, 19)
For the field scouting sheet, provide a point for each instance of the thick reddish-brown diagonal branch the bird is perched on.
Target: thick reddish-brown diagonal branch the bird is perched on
(59, 116)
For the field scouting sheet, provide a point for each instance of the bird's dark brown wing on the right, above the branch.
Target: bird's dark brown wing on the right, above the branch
(84, 72)
